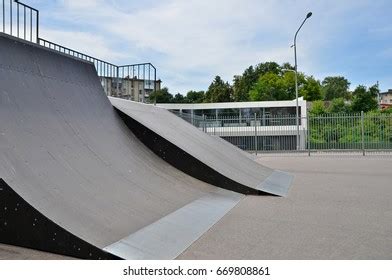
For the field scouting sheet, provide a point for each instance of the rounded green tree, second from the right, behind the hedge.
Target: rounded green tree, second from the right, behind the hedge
(335, 87)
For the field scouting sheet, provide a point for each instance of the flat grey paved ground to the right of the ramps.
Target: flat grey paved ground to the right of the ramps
(339, 207)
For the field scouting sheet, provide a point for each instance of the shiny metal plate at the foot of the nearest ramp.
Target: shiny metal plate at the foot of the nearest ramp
(168, 237)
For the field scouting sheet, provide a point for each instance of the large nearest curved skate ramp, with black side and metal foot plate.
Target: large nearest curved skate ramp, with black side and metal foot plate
(74, 179)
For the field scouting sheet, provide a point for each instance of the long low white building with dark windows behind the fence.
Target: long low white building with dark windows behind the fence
(269, 124)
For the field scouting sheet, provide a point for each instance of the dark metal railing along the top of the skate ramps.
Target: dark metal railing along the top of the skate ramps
(22, 21)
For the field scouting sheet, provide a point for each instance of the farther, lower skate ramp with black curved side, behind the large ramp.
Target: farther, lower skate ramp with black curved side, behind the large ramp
(198, 154)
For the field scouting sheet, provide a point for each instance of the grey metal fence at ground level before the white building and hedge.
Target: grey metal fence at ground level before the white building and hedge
(329, 132)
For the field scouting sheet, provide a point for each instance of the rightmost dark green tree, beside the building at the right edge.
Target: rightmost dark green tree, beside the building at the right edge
(365, 99)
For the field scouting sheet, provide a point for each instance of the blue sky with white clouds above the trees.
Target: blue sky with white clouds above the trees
(192, 41)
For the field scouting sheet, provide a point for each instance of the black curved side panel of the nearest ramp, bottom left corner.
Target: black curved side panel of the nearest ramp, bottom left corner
(23, 225)
